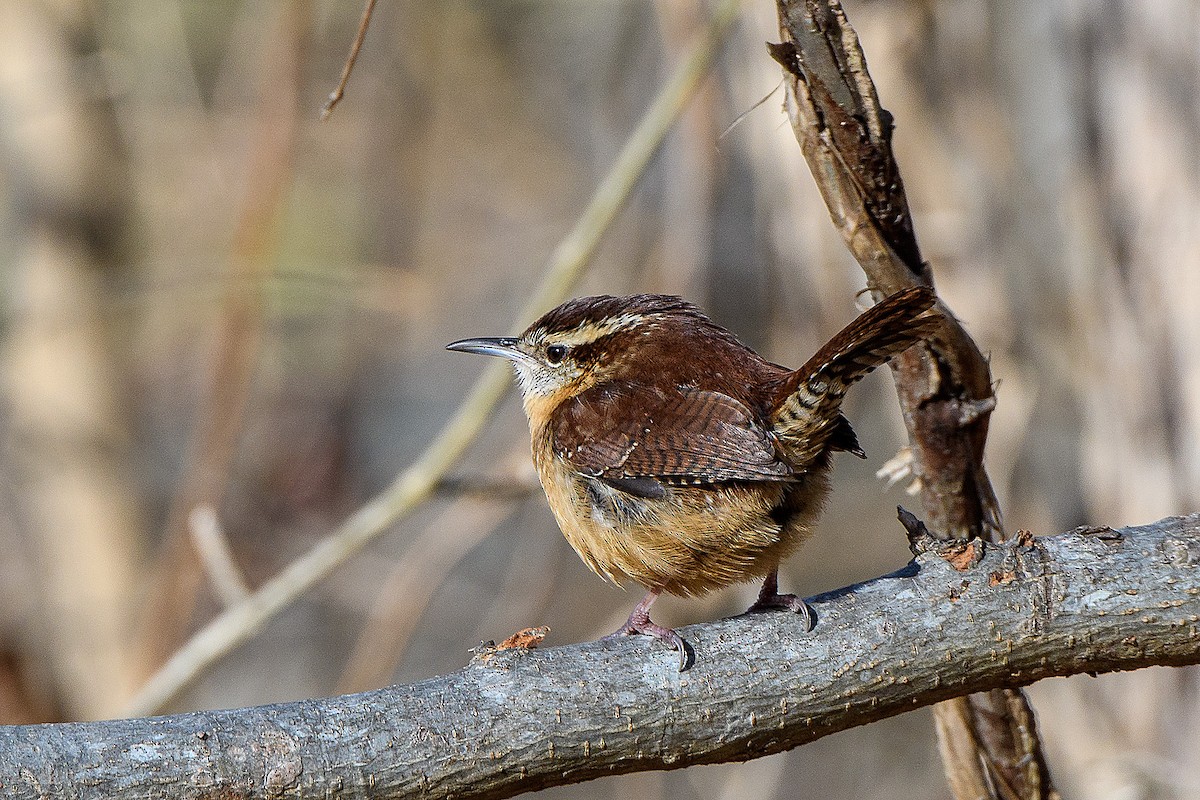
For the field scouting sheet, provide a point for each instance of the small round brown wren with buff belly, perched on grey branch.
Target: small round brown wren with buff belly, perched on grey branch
(677, 458)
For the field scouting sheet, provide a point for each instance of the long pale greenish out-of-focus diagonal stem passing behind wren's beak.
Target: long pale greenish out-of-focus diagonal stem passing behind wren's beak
(415, 485)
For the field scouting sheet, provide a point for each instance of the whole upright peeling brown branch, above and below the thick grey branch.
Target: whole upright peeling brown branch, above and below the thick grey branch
(989, 742)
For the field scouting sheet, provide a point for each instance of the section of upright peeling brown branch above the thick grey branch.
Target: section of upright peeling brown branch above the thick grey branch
(845, 135)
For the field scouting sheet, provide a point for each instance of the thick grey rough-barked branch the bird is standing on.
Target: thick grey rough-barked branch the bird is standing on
(971, 619)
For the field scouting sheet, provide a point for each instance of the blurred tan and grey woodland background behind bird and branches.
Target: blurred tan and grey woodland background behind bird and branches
(223, 324)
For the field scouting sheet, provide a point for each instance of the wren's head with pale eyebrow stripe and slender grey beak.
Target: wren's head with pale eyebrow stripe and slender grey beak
(583, 342)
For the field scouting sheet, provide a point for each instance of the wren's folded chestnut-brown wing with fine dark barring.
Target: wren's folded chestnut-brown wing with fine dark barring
(625, 434)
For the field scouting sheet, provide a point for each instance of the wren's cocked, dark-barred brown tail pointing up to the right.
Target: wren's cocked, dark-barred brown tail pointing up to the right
(809, 400)
